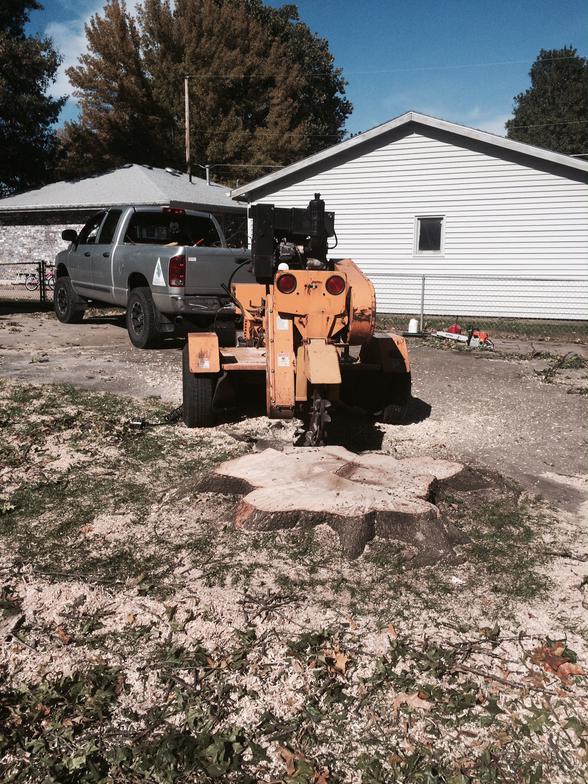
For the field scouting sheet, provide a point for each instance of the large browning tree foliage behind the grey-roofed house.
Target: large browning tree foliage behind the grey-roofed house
(264, 90)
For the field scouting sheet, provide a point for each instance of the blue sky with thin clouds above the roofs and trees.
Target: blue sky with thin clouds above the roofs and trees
(461, 61)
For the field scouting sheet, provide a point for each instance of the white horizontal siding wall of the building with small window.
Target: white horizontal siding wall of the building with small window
(502, 219)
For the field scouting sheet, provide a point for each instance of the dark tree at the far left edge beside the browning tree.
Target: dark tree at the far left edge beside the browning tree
(28, 65)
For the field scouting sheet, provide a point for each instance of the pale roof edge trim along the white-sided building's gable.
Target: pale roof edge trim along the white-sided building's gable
(421, 122)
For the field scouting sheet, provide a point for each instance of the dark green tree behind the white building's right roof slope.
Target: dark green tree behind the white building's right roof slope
(553, 112)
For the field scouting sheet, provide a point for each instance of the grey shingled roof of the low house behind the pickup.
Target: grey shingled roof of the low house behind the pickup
(131, 184)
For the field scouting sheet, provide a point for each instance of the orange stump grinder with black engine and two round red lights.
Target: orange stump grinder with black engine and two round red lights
(308, 333)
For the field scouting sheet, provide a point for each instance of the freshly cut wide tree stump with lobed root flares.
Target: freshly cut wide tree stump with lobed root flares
(359, 496)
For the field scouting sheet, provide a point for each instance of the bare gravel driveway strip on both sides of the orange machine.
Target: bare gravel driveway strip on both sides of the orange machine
(492, 410)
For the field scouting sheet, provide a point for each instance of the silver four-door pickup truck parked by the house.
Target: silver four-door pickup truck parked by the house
(165, 265)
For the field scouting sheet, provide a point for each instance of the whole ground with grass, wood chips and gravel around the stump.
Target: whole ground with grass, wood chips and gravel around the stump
(144, 638)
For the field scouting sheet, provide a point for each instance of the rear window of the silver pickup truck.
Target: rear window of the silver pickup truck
(172, 229)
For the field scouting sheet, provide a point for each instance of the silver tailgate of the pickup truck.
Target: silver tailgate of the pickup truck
(208, 268)
